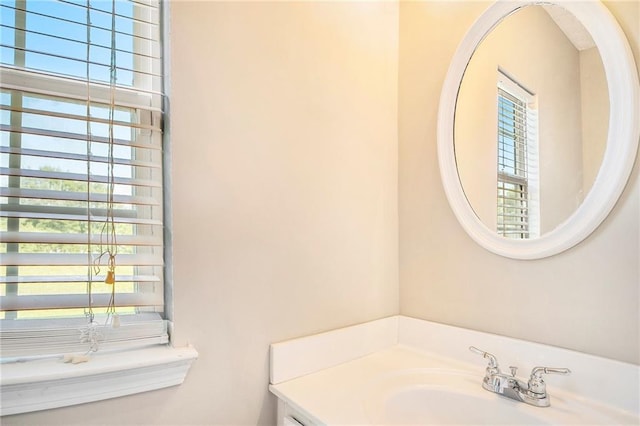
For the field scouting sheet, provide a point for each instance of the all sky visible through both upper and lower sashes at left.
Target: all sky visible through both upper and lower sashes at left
(55, 42)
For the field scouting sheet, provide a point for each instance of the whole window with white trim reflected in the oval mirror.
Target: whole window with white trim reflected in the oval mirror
(517, 204)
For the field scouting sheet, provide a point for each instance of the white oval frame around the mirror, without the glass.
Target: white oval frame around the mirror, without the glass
(622, 139)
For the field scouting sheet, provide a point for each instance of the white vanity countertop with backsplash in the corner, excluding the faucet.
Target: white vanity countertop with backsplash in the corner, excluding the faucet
(356, 390)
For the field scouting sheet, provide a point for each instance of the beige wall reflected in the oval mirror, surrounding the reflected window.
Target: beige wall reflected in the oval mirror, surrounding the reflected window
(530, 48)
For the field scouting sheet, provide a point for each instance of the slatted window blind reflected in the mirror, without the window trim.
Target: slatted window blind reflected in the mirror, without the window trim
(513, 187)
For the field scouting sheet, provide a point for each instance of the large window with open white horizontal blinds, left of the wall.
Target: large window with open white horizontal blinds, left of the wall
(64, 126)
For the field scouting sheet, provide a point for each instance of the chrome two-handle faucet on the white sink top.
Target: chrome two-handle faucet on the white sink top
(533, 392)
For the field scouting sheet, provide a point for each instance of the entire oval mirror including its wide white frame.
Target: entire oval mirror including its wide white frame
(538, 127)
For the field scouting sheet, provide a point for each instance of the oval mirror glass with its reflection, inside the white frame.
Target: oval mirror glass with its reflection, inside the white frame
(531, 122)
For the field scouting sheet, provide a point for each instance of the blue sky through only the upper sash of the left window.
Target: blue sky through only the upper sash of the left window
(56, 38)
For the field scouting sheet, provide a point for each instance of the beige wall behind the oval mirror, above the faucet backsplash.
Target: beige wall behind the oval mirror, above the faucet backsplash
(586, 298)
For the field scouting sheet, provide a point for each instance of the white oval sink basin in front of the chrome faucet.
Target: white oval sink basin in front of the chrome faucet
(435, 396)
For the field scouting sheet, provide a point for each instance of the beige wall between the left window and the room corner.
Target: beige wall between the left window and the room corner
(284, 151)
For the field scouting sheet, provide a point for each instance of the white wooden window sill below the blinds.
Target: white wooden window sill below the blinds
(50, 383)
